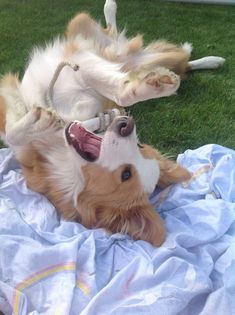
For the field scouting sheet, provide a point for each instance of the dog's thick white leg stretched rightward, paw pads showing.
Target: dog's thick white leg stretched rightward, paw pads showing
(125, 88)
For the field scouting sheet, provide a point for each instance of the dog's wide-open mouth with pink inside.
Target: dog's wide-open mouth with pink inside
(86, 143)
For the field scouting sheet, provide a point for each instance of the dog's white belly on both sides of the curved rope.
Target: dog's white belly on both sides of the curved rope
(71, 97)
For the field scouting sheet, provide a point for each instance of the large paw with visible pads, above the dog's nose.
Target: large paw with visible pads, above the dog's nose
(148, 85)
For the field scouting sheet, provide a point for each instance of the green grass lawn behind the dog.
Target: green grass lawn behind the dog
(202, 112)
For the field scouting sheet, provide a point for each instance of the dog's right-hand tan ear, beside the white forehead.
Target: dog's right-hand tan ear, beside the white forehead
(170, 171)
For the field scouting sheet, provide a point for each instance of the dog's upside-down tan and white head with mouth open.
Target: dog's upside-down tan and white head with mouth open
(119, 176)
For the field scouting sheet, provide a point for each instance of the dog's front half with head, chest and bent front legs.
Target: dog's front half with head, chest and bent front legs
(99, 181)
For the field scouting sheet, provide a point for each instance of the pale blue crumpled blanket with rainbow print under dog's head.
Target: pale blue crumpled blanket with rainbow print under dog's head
(50, 266)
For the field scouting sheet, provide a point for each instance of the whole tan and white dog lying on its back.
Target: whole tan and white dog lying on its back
(98, 181)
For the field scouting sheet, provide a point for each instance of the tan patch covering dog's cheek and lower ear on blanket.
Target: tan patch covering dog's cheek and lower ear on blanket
(108, 205)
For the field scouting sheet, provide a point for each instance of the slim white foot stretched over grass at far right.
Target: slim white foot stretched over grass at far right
(210, 62)
